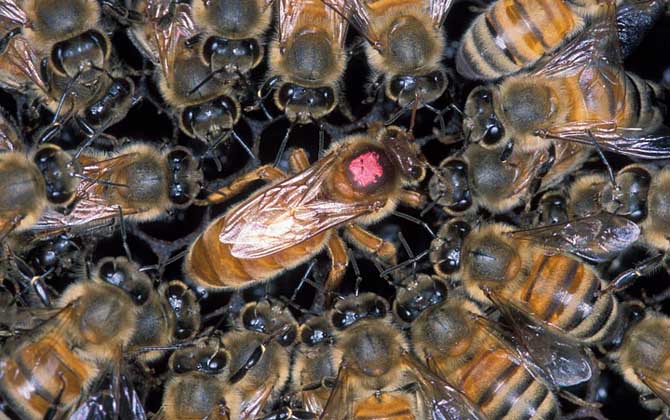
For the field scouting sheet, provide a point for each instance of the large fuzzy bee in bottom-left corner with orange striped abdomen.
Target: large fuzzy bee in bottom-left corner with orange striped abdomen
(81, 340)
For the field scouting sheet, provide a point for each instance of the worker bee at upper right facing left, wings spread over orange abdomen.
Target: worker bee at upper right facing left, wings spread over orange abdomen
(581, 94)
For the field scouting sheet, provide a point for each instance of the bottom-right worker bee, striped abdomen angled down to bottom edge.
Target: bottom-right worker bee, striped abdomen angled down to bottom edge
(465, 348)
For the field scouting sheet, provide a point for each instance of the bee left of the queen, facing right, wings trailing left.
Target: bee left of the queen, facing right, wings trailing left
(139, 182)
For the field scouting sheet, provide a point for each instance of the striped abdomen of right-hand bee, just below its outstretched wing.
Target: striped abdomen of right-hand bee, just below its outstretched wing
(562, 291)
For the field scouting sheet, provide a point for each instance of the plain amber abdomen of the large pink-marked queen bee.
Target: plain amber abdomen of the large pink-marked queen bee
(210, 263)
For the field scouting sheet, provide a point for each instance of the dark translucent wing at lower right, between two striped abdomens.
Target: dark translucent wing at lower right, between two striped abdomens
(545, 350)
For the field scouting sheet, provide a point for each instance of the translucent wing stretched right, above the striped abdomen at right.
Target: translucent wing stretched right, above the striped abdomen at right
(598, 238)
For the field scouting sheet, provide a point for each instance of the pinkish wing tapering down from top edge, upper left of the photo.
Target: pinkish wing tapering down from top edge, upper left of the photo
(172, 24)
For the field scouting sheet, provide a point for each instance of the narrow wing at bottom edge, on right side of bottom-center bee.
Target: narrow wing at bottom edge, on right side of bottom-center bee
(444, 401)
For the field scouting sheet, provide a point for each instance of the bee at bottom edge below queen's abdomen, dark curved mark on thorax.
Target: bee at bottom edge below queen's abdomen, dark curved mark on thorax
(260, 358)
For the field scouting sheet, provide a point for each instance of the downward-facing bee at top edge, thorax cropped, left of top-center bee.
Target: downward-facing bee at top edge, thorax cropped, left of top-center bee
(232, 32)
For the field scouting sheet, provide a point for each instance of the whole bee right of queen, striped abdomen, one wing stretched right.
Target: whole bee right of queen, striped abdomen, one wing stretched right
(500, 265)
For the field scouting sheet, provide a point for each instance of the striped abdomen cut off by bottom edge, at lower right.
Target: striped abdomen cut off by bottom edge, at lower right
(496, 382)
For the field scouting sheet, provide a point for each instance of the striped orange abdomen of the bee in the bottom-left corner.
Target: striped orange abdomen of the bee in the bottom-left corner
(42, 376)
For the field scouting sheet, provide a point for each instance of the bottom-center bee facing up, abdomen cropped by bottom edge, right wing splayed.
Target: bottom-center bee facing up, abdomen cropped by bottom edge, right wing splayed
(377, 376)
